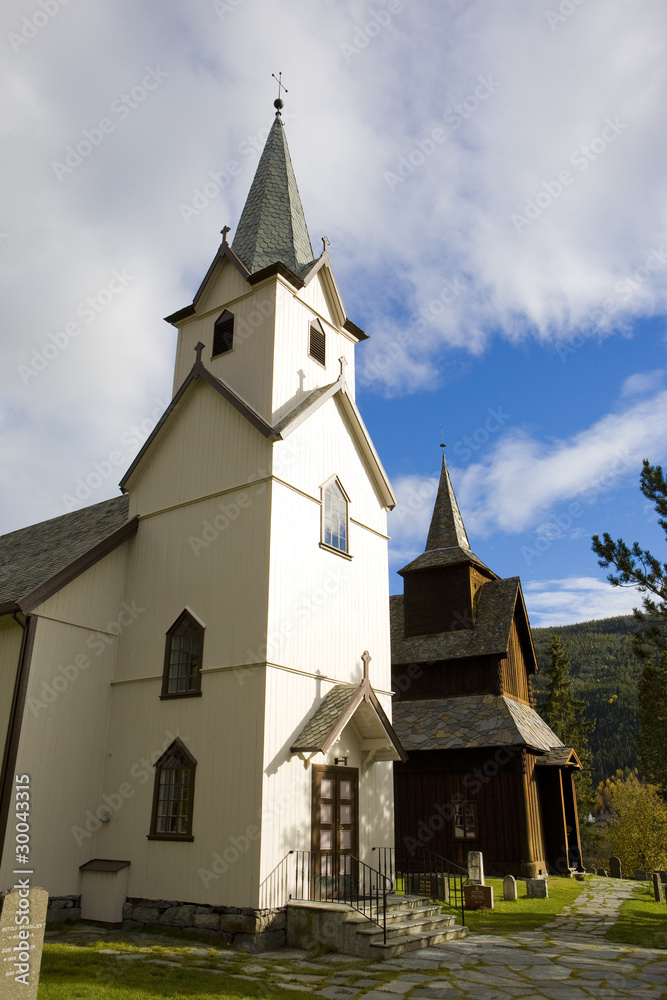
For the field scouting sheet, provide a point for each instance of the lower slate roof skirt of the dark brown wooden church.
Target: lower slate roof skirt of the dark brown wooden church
(472, 721)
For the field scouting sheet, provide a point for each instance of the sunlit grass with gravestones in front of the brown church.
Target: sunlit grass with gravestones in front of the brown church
(522, 914)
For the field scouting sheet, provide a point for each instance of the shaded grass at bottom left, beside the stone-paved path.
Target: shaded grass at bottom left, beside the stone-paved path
(73, 971)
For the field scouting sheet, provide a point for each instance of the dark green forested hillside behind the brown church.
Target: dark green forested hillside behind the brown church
(605, 675)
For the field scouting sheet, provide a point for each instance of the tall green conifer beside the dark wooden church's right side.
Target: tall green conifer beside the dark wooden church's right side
(564, 714)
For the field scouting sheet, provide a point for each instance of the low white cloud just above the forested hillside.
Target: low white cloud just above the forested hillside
(576, 599)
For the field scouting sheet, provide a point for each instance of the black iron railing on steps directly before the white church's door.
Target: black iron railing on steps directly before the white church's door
(322, 876)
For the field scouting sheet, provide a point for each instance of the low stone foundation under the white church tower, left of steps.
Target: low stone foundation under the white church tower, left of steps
(242, 928)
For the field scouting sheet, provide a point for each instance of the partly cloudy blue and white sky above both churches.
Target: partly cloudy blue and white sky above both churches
(491, 180)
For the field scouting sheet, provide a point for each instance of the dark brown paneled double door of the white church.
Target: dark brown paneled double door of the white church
(335, 830)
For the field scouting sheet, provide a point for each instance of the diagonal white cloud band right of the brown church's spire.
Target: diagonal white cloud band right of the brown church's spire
(522, 478)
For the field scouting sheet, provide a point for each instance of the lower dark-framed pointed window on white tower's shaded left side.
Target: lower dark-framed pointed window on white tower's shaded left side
(173, 794)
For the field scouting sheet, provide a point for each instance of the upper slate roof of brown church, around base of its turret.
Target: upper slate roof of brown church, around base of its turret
(489, 636)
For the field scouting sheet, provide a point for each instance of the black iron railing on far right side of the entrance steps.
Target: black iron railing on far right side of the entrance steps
(424, 873)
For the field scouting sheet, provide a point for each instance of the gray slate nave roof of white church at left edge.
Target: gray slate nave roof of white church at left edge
(30, 556)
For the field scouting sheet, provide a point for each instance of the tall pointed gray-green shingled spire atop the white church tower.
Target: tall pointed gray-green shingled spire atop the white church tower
(272, 226)
